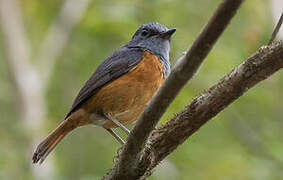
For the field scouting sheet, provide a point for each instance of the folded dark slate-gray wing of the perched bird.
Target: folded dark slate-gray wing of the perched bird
(119, 63)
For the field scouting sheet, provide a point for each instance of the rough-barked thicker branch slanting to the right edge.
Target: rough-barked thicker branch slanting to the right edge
(266, 61)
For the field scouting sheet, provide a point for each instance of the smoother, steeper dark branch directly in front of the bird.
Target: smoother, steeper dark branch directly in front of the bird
(128, 166)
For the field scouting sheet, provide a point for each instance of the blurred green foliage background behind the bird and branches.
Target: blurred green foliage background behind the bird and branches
(244, 142)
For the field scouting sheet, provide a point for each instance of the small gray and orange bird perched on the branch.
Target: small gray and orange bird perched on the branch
(119, 89)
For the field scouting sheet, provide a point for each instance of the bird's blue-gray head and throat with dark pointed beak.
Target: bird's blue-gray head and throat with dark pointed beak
(155, 38)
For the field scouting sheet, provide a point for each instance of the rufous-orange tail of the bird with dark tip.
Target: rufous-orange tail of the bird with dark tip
(50, 142)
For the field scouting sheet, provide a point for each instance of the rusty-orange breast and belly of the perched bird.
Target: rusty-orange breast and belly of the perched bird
(126, 97)
